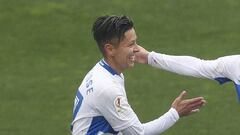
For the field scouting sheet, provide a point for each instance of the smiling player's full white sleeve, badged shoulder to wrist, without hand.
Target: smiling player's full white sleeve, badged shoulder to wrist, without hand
(114, 106)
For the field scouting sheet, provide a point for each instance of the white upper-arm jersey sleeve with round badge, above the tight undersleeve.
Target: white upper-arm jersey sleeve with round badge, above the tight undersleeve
(113, 105)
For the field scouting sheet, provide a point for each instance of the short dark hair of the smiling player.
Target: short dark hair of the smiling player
(110, 29)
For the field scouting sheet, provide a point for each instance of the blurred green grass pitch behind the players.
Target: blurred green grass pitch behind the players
(46, 48)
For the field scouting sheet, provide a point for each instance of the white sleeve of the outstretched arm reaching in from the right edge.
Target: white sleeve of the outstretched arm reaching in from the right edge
(223, 69)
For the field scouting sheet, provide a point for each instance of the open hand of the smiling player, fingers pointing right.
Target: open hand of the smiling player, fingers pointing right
(186, 107)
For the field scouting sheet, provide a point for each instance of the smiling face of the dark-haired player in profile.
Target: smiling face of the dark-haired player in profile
(125, 52)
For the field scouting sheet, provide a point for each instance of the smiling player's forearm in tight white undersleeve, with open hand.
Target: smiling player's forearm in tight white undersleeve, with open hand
(180, 108)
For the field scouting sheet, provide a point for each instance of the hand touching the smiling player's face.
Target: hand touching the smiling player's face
(141, 55)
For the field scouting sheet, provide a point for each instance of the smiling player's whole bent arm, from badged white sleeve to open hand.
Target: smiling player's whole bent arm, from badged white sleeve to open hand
(122, 118)
